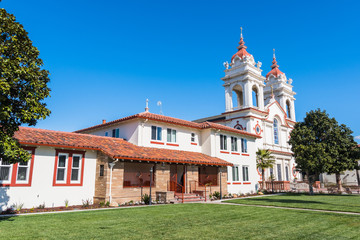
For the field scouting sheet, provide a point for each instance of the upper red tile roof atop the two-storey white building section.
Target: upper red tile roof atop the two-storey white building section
(177, 121)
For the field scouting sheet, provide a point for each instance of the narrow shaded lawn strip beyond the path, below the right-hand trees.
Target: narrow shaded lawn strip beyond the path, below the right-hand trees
(345, 203)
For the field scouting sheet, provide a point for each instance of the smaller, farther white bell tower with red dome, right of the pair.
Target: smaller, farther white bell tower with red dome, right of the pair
(278, 85)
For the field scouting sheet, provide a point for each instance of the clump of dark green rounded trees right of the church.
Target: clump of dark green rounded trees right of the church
(321, 145)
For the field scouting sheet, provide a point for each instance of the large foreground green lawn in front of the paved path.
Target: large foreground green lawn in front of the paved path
(183, 221)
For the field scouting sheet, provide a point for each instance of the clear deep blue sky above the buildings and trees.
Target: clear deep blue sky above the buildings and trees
(106, 57)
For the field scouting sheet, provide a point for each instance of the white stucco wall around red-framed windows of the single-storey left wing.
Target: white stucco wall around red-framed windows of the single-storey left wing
(42, 189)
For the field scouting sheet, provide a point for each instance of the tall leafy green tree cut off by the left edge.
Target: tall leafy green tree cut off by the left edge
(23, 86)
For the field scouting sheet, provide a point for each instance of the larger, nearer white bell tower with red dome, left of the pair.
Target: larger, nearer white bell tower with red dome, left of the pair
(243, 81)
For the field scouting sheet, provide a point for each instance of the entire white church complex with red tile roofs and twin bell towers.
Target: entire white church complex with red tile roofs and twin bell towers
(120, 160)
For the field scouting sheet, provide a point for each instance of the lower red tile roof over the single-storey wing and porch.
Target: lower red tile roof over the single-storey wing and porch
(113, 147)
